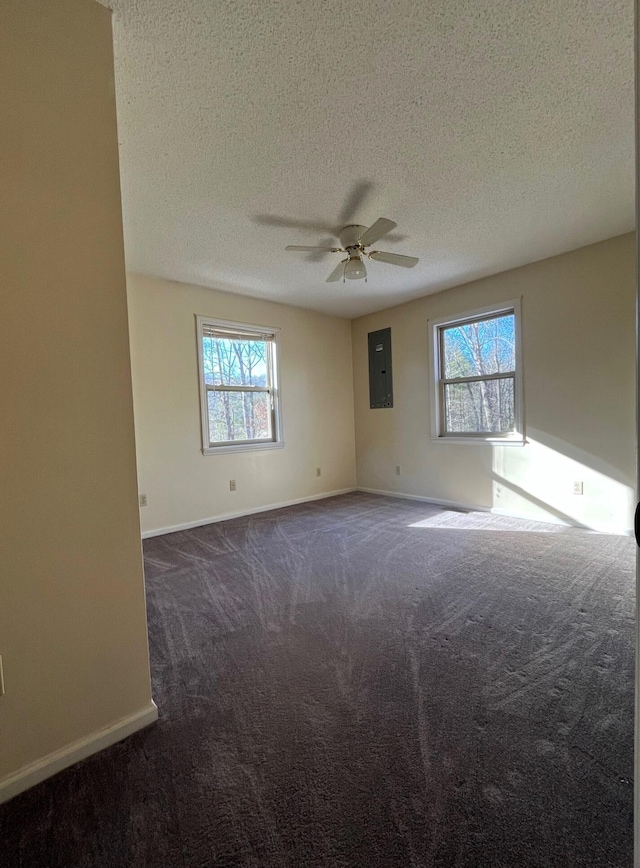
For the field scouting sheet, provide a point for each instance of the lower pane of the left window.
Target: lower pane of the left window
(239, 416)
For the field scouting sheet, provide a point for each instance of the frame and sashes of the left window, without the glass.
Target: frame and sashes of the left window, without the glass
(272, 336)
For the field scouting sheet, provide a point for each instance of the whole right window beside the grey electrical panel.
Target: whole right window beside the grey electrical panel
(477, 382)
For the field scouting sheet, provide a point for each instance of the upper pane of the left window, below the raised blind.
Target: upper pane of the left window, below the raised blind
(234, 362)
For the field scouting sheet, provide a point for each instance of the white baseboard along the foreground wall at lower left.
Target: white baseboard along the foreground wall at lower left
(36, 772)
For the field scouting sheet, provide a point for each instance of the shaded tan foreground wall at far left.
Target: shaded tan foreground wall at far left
(72, 615)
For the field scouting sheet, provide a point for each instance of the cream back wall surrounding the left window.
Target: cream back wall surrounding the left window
(184, 486)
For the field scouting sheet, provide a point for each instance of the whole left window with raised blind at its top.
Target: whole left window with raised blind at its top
(238, 386)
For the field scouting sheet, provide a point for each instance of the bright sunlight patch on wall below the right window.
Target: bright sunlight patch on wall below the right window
(537, 481)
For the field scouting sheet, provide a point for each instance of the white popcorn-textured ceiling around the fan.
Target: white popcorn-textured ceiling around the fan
(494, 132)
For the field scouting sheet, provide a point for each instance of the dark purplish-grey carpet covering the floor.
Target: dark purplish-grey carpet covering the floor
(366, 681)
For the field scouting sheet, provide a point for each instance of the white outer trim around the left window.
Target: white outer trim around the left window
(242, 445)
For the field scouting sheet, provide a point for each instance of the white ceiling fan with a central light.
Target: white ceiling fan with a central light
(354, 239)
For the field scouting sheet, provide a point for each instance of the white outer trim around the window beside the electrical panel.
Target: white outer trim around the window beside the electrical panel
(515, 438)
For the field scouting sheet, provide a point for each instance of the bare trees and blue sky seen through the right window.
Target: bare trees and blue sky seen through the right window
(478, 375)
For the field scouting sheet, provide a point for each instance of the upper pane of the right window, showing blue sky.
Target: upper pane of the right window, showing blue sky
(478, 348)
